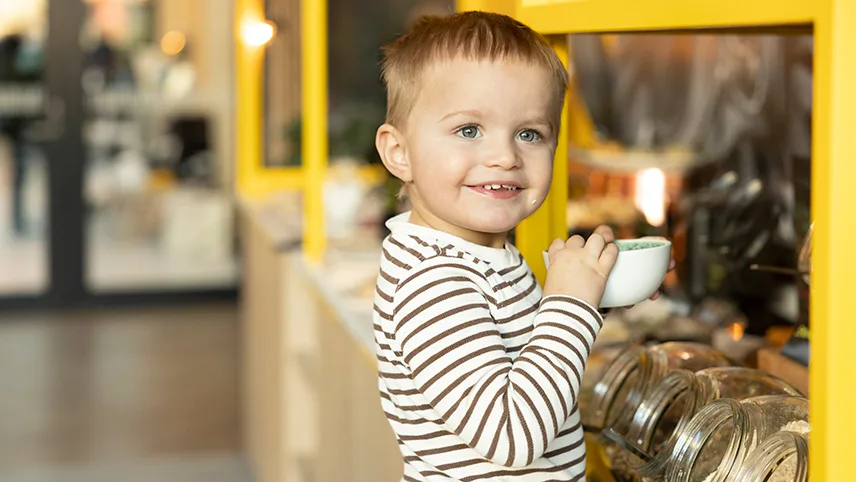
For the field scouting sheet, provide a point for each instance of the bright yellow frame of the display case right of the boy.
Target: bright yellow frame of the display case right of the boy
(832, 148)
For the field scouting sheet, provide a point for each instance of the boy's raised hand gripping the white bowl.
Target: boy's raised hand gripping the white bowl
(579, 268)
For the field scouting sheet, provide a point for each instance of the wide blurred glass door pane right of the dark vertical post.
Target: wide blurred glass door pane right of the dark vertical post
(157, 84)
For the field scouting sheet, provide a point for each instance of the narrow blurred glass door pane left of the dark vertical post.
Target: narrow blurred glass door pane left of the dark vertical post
(24, 233)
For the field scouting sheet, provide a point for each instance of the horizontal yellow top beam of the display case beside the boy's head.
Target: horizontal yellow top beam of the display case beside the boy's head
(582, 16)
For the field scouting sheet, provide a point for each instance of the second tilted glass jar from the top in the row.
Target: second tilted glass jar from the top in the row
(682, 393)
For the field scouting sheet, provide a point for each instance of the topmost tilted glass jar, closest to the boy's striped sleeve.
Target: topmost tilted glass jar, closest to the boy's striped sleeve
(634, 373)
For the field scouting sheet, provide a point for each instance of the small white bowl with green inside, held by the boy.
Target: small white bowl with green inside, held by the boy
(637, 274)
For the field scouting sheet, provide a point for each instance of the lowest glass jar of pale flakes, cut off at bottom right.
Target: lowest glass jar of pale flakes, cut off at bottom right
(781, 458)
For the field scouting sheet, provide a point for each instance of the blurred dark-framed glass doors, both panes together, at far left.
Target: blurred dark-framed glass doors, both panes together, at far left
(115, 143)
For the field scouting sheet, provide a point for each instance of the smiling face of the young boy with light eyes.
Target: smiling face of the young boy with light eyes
(479, 147)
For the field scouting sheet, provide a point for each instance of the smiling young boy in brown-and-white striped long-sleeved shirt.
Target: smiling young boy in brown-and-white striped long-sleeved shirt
(479, 370)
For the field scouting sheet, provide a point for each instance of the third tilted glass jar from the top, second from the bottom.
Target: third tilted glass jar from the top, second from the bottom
(713, 446)
